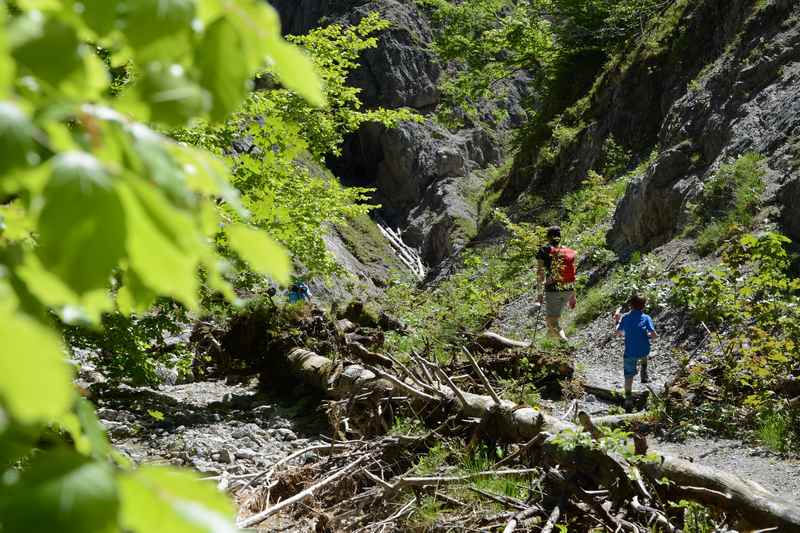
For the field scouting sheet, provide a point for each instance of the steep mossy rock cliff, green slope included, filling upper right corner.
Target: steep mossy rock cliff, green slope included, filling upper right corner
(713, 80)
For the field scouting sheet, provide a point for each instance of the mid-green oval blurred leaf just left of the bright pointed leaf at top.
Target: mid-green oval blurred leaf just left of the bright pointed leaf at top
(223, 72)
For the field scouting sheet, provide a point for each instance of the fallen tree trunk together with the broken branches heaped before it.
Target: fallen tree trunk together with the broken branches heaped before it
(581, 474)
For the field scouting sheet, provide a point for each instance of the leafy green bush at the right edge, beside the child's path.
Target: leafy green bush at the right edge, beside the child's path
(754, 302)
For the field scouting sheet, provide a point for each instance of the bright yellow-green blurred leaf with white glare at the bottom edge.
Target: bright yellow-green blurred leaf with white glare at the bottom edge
(161, 499)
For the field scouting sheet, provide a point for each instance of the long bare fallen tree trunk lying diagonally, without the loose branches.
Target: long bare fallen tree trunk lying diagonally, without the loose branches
(509, 422)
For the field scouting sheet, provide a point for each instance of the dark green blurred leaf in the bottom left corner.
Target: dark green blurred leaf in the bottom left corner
(61, 491)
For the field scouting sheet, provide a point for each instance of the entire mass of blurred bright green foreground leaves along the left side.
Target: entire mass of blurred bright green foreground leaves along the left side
(94, 199)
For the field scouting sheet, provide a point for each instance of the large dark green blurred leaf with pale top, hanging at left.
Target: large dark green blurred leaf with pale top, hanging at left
(81, 225)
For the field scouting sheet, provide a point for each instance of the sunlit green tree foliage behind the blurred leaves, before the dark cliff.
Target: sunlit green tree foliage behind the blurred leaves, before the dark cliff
(285, 190)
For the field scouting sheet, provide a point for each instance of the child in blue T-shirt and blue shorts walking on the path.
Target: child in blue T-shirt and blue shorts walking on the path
(638, 329)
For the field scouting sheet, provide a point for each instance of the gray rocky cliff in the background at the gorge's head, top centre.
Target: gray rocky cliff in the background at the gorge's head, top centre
(426, 176)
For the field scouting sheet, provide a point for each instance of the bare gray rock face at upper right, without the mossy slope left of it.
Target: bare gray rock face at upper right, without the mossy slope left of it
(749, 101)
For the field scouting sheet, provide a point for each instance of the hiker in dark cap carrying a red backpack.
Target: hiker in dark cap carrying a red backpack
(556, 275)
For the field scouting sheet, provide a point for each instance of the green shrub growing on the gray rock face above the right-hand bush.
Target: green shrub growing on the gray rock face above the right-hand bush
(729, 202)
